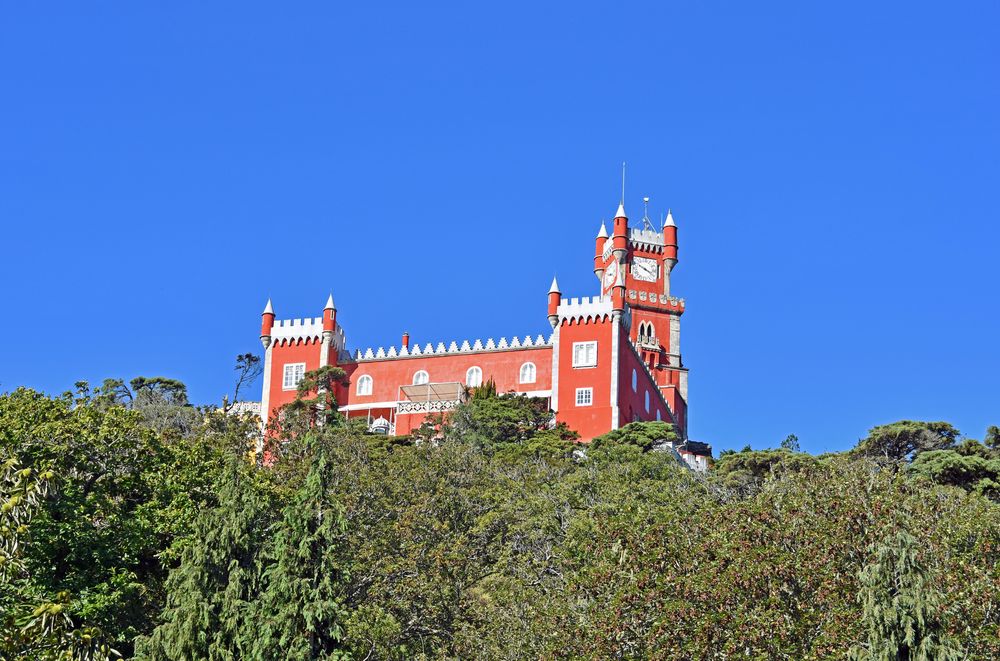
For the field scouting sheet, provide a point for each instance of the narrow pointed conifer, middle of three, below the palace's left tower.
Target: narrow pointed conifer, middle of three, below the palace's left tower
(301, 611)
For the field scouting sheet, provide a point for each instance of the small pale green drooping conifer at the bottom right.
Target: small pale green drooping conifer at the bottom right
(901, 608)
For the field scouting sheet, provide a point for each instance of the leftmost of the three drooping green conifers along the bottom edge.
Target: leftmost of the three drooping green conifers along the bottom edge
(210, 596)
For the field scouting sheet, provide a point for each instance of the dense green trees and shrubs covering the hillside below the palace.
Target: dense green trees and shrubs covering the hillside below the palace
(135, 523)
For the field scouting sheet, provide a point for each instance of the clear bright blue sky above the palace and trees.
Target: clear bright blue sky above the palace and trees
(833, 169)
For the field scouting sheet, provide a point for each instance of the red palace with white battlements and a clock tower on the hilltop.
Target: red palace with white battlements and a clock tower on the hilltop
(611, 358)
